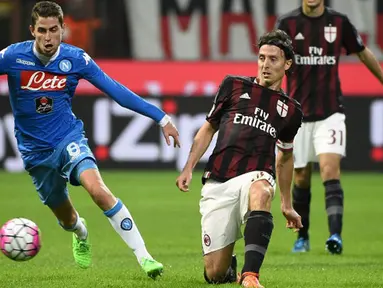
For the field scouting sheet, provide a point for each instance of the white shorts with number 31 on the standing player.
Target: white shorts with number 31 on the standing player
(314, 138)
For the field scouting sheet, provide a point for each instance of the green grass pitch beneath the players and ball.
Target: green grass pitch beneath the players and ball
(170, 224)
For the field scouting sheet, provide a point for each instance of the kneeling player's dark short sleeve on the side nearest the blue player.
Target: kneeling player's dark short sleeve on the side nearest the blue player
(223, 93)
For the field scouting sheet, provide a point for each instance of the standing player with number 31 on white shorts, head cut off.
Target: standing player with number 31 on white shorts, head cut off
(319, 33)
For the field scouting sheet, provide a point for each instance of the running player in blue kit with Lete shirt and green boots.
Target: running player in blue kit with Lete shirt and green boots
(42, 78)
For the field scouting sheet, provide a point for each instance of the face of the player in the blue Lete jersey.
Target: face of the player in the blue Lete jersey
(48, 34)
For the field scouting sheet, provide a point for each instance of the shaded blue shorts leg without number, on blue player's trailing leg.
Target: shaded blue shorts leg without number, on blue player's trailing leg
(51, 187)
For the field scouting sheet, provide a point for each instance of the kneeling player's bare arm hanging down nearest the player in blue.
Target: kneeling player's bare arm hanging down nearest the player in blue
(201, 142)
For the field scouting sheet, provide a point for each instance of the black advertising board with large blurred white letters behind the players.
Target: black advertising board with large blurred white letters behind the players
(122, 139)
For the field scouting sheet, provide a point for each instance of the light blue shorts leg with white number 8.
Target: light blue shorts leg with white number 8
(77, 157)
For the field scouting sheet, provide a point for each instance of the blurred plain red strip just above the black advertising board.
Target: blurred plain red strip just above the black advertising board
(203, 77)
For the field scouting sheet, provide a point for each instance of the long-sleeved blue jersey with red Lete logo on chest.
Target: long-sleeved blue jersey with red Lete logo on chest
(41, 95)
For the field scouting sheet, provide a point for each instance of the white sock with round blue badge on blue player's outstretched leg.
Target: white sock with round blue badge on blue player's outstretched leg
(122, 222)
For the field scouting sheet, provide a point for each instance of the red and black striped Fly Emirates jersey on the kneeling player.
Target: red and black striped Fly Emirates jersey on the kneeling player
(250, 119)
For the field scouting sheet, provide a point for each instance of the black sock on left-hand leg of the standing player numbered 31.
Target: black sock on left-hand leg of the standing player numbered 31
(301, 204)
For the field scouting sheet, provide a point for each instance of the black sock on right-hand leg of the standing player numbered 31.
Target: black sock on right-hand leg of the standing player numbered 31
(334, 205)
